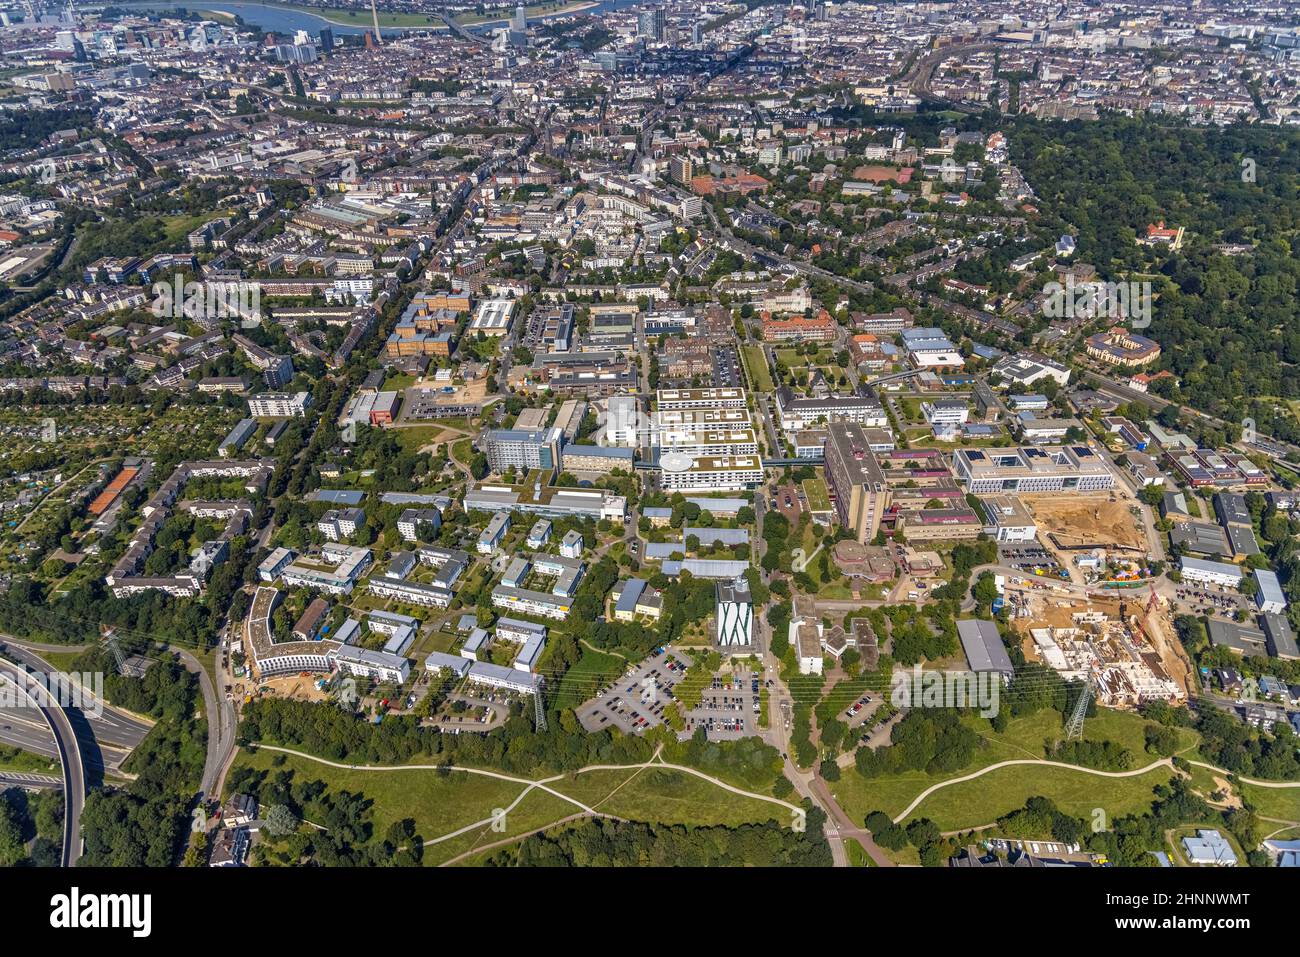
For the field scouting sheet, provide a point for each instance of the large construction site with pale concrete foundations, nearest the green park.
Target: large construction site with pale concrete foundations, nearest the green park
(1125, 647)
